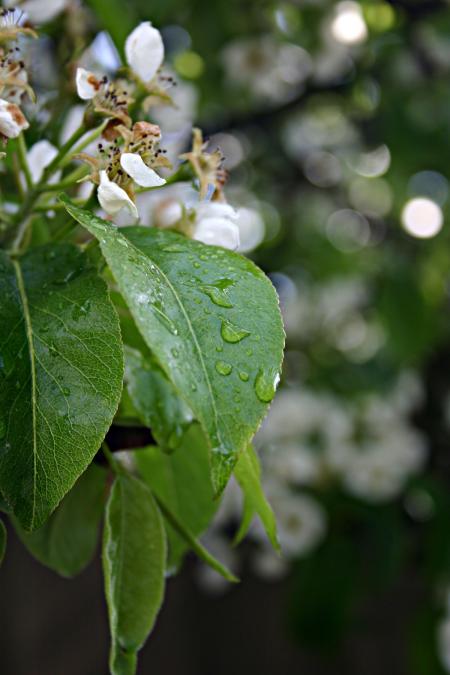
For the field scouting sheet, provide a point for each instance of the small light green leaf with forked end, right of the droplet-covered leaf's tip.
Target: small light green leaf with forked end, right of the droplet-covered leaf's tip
(248, 475)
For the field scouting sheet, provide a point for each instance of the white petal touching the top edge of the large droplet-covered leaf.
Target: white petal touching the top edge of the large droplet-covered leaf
(215, 224)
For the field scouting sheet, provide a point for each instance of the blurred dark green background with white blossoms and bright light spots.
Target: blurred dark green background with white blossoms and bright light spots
(334, 118)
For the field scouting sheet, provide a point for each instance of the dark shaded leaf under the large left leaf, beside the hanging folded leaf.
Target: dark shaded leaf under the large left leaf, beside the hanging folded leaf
(67, 541)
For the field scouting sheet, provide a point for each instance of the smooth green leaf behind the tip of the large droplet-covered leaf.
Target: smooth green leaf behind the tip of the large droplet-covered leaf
(182, 481)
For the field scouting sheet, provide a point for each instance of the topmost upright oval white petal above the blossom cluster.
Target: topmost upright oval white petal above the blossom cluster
(144, 50)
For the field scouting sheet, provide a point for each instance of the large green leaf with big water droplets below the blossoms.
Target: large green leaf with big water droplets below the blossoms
(212, 320)
